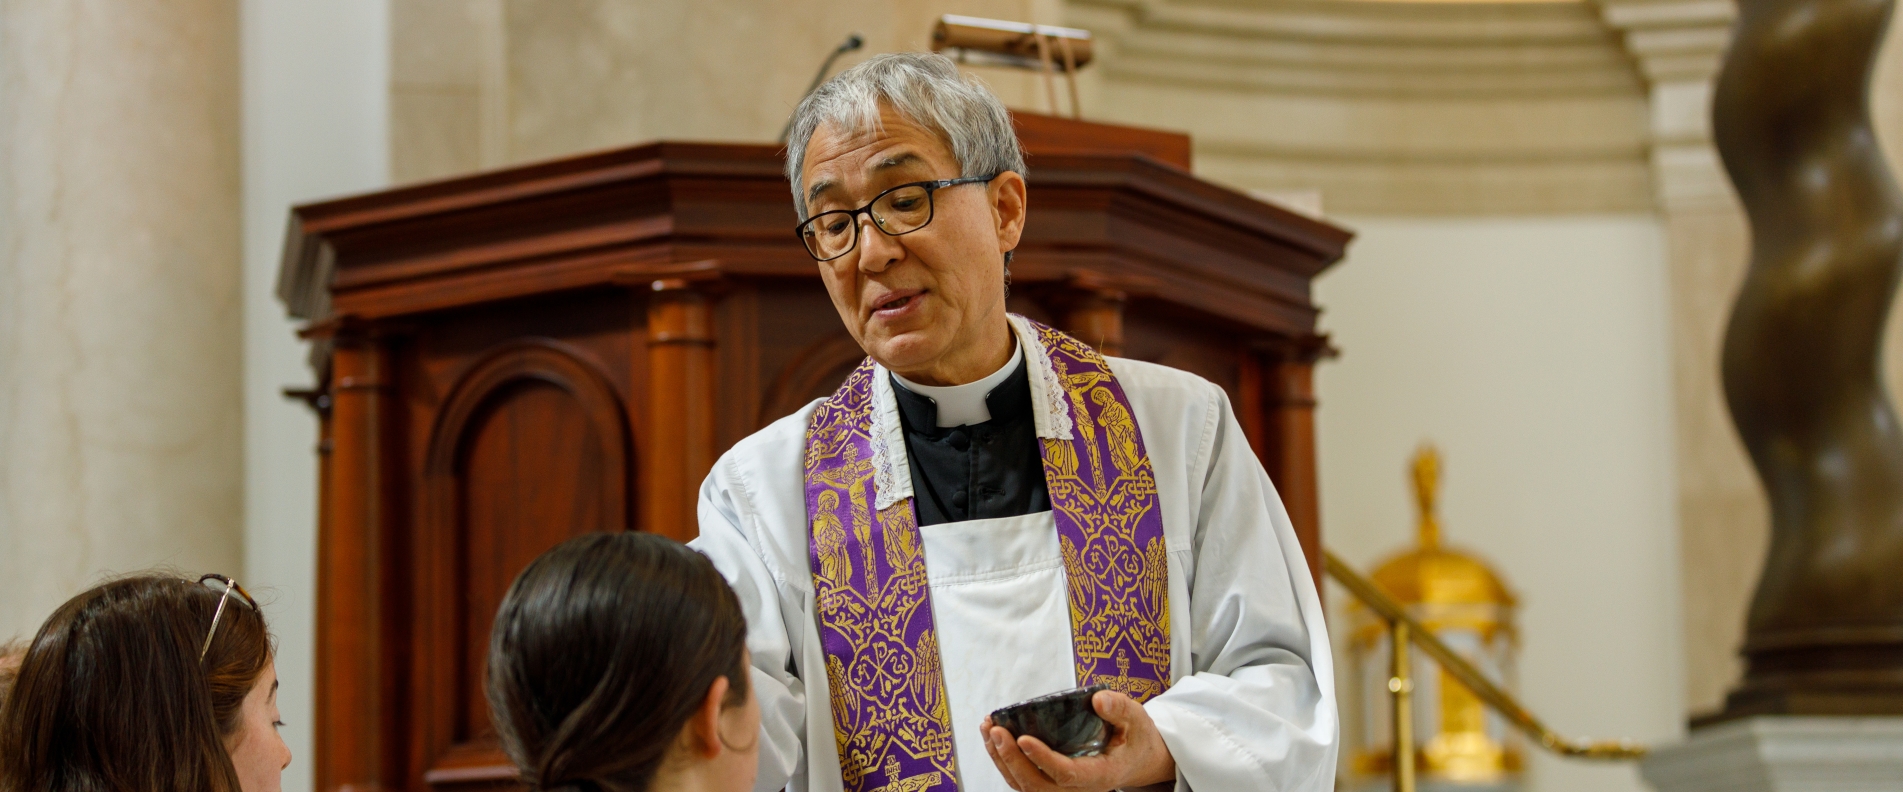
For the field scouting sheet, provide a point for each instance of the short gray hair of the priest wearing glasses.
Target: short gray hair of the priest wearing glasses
(924, 89)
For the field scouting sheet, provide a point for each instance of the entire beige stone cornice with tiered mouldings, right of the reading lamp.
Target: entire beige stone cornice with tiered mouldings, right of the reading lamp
(1386, 108)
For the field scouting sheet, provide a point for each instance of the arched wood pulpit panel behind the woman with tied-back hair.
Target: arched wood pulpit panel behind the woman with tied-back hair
(530, 448)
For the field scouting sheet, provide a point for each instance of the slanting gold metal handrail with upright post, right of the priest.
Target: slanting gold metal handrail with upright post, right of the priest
(1405, 633)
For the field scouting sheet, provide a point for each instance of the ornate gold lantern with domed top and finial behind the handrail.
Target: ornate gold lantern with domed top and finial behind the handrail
(1461, 745)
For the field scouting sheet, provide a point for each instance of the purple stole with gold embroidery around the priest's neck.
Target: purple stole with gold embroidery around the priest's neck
(892, 721)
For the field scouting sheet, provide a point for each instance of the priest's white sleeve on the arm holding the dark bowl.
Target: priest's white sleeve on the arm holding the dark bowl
(1257, 711)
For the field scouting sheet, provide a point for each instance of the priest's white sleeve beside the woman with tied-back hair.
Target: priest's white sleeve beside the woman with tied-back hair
(726, 538)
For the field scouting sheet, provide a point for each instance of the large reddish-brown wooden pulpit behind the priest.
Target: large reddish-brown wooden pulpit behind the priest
(519, 357)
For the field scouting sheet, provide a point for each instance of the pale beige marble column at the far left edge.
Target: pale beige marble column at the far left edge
(119, 296)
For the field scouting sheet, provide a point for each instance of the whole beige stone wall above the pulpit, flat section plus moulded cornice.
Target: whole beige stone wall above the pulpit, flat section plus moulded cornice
(1445, 109)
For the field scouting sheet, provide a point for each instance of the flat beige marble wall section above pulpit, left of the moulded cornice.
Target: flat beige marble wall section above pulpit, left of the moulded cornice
(492, 83)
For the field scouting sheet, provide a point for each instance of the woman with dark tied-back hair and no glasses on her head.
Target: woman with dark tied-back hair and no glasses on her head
(619, 665)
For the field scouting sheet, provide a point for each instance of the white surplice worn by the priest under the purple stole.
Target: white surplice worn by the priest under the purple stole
(1251, 702)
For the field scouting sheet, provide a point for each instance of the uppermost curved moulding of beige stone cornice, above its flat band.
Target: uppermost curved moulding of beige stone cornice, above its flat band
(1365, 49)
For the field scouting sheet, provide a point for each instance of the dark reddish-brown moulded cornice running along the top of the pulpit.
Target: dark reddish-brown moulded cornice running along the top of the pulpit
(694, 210)
